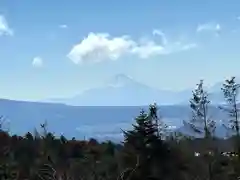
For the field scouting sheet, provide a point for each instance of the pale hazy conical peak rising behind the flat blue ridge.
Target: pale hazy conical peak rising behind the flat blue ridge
(122, 90)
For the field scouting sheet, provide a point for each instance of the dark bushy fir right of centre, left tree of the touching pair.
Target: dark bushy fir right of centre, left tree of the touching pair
(138, 142)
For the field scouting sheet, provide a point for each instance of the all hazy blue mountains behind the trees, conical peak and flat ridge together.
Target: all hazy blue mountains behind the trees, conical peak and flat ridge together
(105, 110)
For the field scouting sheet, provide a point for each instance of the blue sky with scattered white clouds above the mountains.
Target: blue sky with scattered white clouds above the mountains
(54, 49)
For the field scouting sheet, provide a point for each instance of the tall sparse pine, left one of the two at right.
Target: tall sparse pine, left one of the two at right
(200, 122)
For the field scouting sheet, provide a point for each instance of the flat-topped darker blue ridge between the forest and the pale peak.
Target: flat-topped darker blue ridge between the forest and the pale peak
(101, 122)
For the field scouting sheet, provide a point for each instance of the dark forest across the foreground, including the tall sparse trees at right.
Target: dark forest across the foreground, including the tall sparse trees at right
(148, 150)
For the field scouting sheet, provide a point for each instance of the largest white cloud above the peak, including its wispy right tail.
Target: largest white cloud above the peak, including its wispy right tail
(98, 47)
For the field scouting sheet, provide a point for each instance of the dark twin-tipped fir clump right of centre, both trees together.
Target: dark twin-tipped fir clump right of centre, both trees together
(145, 151)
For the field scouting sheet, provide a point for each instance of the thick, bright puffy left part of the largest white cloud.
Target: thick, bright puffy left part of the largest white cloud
(100, 46)
